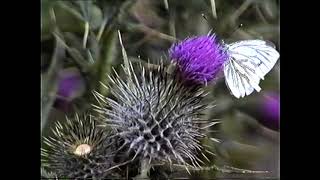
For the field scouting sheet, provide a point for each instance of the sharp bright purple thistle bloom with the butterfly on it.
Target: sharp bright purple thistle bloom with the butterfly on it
(199, 59)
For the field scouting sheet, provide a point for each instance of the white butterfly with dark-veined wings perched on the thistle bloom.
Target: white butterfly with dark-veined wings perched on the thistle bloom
(249, 61)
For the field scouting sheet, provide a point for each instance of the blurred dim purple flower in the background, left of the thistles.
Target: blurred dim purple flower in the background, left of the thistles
(70, 86)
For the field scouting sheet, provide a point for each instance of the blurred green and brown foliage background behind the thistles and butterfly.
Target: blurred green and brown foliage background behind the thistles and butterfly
(79, 47)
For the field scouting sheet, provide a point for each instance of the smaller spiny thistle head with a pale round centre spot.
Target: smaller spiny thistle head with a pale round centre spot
(78, 150)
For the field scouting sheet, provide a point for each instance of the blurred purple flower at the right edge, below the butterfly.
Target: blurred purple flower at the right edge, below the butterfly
(270, 107)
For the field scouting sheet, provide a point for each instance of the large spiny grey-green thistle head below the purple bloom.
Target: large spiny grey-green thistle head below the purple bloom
(157, 117)
